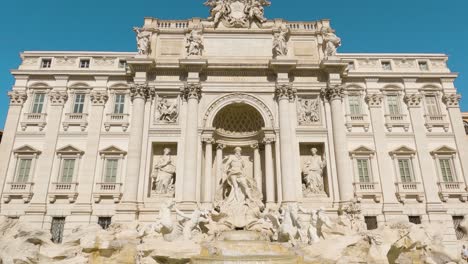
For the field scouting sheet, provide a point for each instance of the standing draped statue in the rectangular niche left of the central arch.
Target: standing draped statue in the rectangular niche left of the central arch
(164, 174)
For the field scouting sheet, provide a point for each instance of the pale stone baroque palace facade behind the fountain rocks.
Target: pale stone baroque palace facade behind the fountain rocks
(110, 136)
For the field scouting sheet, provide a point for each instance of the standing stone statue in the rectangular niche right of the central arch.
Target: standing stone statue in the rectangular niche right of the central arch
(313, 174)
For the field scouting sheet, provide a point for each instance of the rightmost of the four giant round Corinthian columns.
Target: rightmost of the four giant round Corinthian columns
(334, 93)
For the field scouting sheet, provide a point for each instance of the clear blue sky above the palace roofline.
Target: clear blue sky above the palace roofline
(396, 26)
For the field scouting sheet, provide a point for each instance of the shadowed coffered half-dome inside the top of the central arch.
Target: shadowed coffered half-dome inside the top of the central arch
(238, 120)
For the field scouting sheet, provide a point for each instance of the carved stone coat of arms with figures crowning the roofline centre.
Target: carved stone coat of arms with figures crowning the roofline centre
(237, 13)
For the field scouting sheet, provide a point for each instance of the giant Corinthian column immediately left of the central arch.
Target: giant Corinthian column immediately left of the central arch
(191, 92)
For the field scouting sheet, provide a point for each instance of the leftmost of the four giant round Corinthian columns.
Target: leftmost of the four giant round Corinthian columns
(140, 92)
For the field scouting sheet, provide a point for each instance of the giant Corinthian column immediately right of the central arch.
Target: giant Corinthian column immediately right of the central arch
(284, 94)
